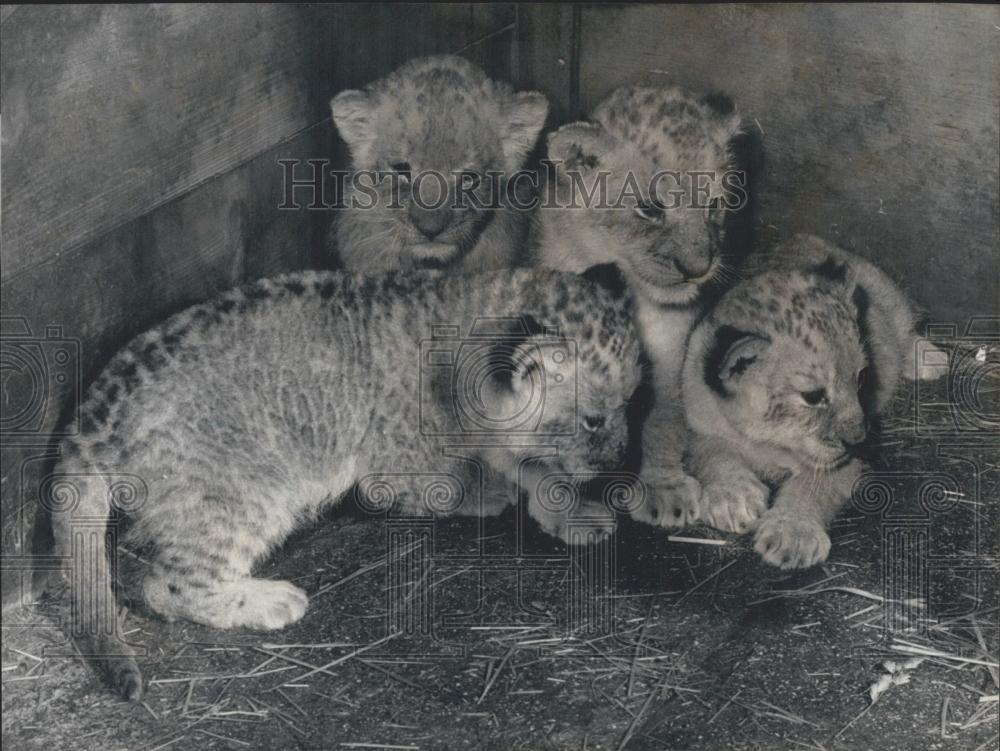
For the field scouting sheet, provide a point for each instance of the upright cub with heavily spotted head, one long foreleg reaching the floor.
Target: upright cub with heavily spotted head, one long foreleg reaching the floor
(639, 157)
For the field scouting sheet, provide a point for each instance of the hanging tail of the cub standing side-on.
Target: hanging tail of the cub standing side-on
(81, 503)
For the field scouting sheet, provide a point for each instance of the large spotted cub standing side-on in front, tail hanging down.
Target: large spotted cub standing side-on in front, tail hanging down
(244, 417)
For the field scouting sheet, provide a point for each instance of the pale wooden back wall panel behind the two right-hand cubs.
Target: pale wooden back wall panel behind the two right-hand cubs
(880, 123)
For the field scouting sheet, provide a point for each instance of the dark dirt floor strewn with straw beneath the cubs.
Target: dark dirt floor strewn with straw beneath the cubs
(687, 643)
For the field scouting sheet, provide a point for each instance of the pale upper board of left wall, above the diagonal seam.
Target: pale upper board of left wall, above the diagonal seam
(113, 110)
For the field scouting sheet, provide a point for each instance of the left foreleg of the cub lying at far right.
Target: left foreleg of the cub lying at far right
(732, 498)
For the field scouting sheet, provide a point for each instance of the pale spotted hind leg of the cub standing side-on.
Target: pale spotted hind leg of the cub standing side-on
(207, 544)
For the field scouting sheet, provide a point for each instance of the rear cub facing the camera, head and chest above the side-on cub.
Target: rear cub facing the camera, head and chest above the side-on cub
(421, 125)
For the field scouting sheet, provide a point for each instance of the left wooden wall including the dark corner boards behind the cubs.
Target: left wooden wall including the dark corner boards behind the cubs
(140, 167)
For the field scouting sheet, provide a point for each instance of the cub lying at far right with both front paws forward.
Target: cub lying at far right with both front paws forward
(780, 381)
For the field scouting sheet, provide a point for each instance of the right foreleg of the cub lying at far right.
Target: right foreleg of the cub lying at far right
(792, 534)
